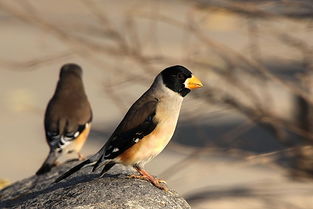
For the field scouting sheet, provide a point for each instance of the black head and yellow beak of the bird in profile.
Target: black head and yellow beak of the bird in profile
(180, 79)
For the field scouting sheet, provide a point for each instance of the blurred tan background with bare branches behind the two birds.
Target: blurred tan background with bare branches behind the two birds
(244, 140)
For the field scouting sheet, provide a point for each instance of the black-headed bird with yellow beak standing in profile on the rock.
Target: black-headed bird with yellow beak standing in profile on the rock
(146, 128)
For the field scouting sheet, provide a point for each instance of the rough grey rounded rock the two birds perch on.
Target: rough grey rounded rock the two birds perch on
(87, 190)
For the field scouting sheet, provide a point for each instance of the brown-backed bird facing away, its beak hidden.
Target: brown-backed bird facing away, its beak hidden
(68, 117)
